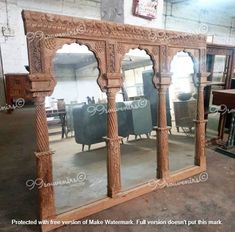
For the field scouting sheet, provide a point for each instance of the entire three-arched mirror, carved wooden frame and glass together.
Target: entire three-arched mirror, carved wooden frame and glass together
(98, 76)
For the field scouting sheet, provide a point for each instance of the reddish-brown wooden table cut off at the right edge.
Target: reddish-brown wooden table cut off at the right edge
(226, 98)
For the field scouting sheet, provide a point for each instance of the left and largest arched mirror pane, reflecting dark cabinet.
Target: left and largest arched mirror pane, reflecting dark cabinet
(77, 125)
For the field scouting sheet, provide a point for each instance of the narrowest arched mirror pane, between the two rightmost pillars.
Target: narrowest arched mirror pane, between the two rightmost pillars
(183, 105)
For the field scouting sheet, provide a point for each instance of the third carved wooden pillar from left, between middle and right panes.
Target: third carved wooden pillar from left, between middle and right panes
(162, 129)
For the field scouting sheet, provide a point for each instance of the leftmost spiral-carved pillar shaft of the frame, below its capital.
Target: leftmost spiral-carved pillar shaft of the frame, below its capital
(44, 161)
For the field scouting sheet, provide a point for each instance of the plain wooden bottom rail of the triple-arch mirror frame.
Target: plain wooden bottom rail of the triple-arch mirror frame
(122, 197)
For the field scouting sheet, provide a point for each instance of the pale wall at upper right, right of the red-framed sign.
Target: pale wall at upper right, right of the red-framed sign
(214, 20)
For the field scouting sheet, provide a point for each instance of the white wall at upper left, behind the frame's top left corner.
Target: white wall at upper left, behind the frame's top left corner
(14, 49)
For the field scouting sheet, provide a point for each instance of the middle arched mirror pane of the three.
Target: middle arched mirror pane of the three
(138, 97)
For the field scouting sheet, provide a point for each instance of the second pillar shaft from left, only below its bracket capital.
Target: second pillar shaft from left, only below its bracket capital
(113, 145)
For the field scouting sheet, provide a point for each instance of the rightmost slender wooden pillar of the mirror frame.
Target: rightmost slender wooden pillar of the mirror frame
(200, 159)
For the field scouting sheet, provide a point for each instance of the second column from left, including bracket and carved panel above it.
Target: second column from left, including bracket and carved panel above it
(113, 83)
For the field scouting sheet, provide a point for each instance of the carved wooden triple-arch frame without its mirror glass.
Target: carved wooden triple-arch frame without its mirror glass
(109, 41)
